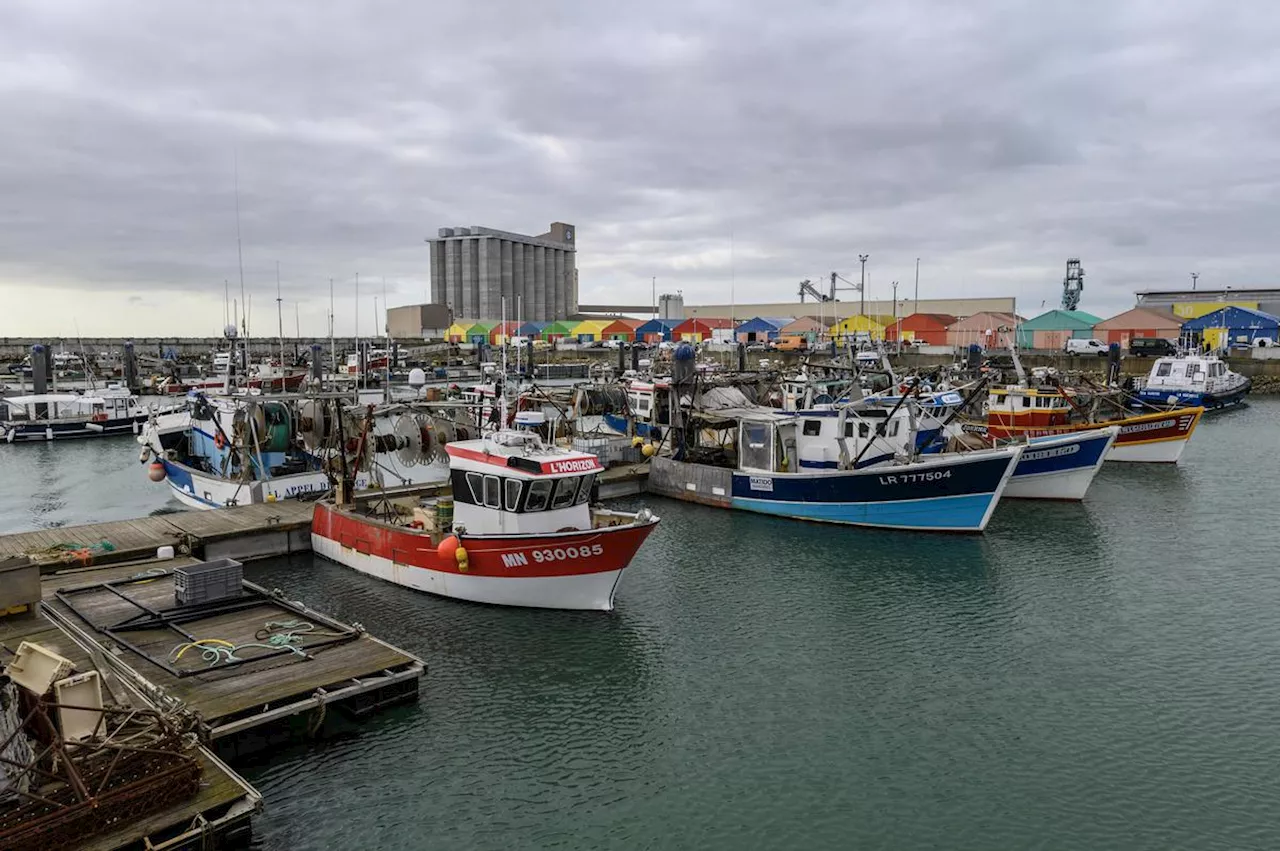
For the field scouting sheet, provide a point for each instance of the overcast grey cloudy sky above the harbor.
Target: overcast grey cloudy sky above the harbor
(712, 144)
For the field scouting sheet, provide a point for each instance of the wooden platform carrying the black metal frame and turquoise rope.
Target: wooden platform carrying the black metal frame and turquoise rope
(336, 665)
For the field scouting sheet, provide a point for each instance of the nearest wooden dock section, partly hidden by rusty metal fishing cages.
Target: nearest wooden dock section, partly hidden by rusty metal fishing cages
(225, 803)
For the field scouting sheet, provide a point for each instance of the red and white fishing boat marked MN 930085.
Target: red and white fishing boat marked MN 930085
(524, 530)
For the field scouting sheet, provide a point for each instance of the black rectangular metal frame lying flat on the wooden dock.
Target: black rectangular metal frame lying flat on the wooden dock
(172, 619)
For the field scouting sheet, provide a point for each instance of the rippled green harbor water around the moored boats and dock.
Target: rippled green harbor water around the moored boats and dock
(1099, 675)
